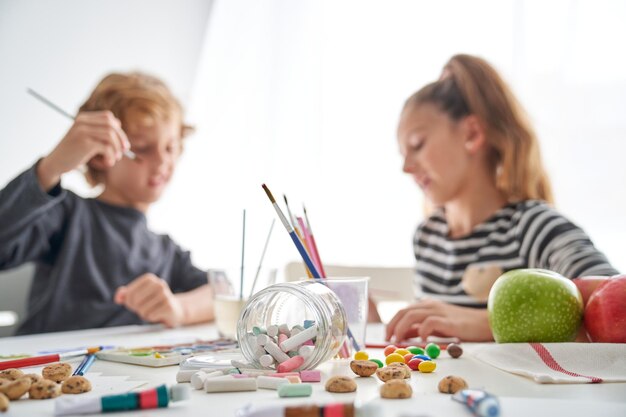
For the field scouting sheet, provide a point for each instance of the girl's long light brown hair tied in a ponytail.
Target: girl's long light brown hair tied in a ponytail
(471, 86)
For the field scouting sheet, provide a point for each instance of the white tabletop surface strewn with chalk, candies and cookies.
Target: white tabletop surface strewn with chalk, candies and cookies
(518, 396)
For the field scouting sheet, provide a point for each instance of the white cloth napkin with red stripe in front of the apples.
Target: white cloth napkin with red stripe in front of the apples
(559, 363)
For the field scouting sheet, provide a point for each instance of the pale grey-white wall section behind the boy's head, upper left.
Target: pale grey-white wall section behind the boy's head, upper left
(63, 48)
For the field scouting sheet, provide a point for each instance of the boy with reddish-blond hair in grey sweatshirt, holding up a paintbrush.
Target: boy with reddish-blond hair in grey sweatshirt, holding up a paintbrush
(97, 264)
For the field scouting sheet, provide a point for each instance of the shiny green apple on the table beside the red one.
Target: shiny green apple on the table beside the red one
(534, 305)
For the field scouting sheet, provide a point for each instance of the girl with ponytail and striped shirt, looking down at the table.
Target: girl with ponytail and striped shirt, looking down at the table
(468, 146)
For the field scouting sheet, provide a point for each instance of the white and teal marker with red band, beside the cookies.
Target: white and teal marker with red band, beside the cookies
(158, 397)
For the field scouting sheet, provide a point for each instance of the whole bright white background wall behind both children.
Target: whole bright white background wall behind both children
(305, 96)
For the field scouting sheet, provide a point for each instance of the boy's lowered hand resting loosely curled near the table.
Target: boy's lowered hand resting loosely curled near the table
(151, 299)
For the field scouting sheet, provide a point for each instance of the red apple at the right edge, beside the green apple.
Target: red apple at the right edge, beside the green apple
(605, 314)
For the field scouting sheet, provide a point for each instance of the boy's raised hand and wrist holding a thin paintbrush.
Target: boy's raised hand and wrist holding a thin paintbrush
(95, 138)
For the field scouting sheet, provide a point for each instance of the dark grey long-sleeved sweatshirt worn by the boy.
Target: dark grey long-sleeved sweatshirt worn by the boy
(84, 250)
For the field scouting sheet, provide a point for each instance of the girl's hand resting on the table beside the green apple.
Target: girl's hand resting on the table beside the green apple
(436, 318)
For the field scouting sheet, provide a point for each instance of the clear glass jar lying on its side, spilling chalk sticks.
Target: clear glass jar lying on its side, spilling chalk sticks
(293, 304)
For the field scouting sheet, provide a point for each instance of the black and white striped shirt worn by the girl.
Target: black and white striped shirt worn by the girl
(527, 234)
